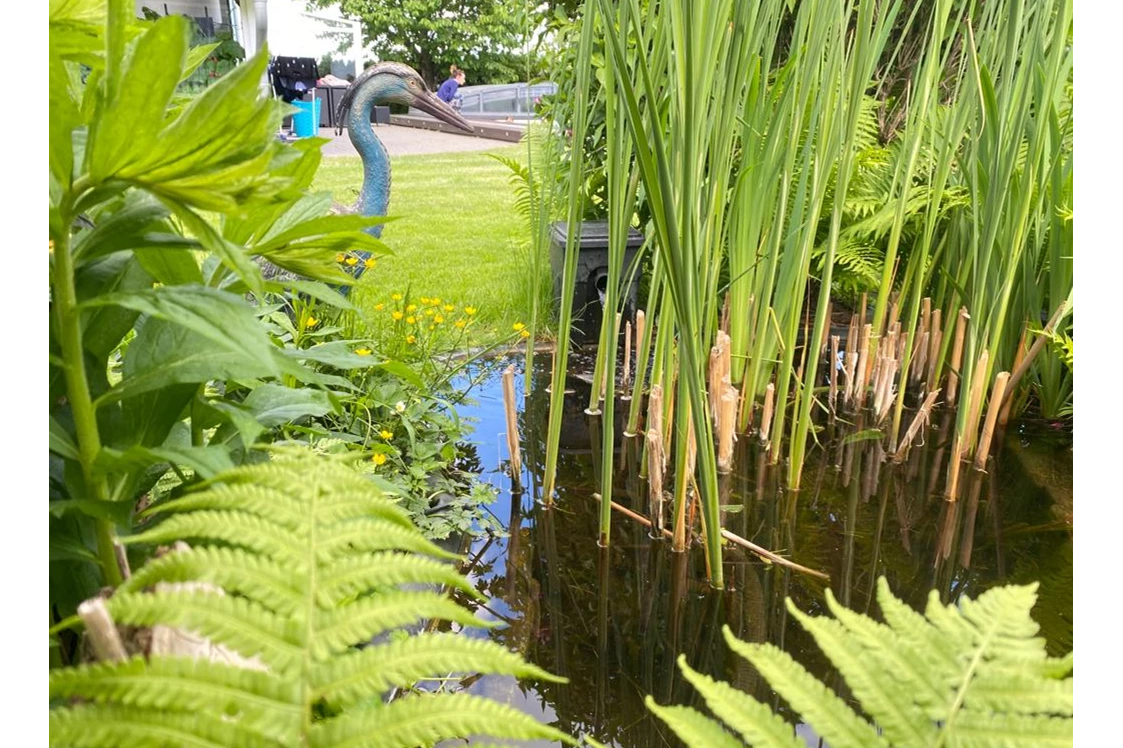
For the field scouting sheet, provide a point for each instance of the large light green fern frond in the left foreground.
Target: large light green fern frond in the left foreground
(303, 567)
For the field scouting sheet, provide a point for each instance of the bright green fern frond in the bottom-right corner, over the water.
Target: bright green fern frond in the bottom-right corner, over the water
(970, 676)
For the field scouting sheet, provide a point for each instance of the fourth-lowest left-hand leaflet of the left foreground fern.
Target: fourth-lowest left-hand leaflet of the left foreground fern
(257, 578)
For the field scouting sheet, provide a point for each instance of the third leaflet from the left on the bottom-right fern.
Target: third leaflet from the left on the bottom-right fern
(818, 705)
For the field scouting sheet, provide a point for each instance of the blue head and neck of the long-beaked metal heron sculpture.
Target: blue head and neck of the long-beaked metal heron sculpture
(381, 85)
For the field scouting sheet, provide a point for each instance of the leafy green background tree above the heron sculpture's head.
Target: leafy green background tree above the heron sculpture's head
(485, 38)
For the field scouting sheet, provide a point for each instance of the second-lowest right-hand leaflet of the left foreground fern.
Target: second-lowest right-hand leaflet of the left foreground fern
(348, 680)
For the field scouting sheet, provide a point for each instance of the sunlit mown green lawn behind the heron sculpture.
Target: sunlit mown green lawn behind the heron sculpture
(456, 236)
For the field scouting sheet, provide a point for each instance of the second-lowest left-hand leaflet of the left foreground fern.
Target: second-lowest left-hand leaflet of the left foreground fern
(257, 701)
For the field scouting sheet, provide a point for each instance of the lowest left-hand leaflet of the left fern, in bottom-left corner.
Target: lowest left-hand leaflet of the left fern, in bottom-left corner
(130, 727)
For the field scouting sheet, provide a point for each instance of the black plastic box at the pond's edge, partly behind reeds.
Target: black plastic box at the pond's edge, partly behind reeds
(592, 275)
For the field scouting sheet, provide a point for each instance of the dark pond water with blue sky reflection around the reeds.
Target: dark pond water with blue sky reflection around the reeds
(615, 621)
